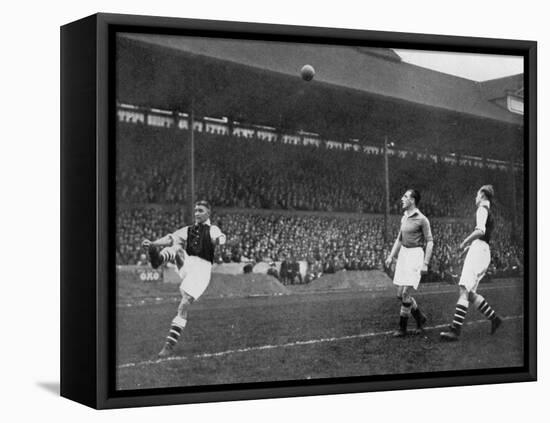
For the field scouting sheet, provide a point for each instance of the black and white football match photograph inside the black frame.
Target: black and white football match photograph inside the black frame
(291, 211)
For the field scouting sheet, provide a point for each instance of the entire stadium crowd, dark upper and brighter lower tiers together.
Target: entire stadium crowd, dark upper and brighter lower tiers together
(247, 173)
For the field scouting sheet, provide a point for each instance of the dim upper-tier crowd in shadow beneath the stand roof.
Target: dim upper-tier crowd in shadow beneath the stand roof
(250, 173)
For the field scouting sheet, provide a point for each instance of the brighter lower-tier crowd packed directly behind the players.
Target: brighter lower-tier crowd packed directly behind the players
(327, 243)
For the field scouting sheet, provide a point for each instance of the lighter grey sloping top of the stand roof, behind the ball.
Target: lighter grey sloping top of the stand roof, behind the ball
(371, 70)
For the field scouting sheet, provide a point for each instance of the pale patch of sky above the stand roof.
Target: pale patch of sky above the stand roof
(477, 67)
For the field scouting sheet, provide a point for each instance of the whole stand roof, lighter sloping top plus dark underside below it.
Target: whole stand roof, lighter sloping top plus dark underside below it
(161, 76)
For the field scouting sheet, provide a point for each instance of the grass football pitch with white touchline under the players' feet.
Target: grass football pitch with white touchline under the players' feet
(310, 336)
